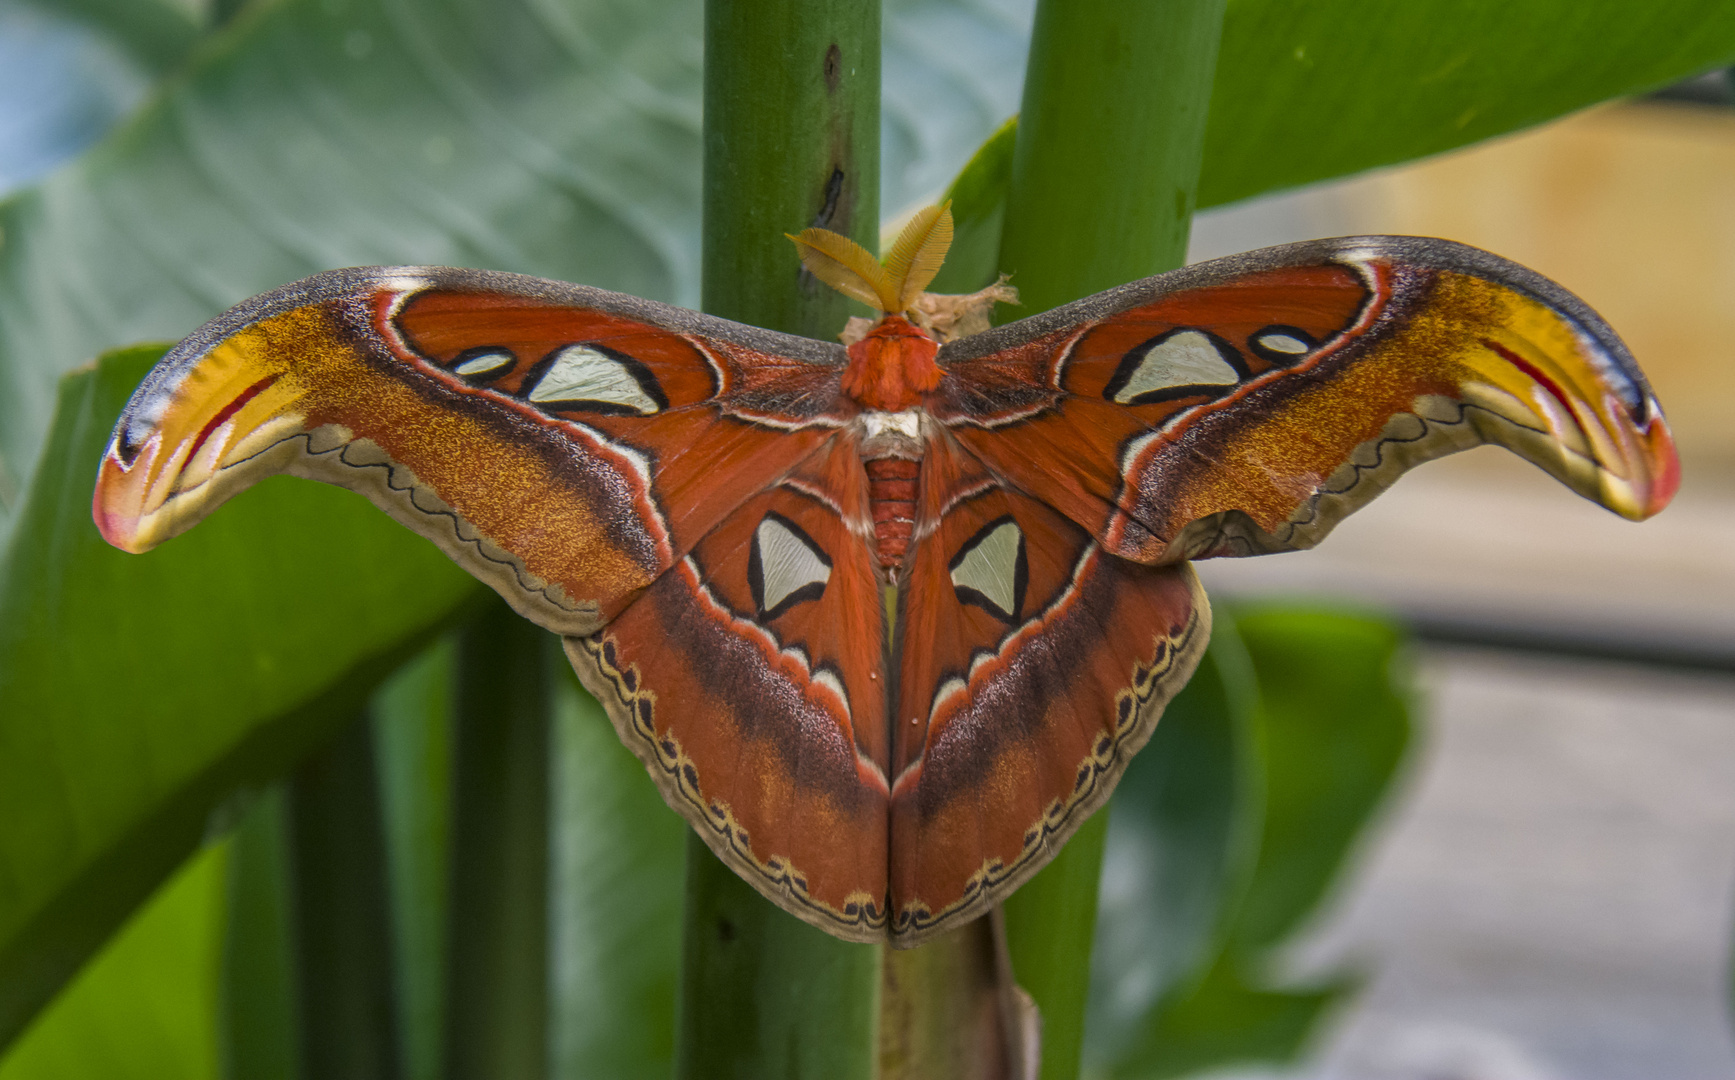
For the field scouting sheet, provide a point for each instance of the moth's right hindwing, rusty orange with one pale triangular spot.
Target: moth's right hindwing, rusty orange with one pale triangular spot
(1031, 668)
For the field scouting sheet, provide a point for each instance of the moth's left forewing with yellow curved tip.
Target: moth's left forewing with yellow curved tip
(563, 444)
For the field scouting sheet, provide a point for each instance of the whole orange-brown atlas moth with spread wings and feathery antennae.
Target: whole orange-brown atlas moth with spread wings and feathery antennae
(886, 622)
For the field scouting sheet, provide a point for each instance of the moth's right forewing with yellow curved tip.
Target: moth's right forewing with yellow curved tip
(1248, 405)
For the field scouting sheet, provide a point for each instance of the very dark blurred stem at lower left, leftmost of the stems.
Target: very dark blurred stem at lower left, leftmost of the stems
(341, 916)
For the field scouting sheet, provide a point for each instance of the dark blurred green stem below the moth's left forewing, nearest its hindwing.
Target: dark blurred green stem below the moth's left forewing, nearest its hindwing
(497, 947)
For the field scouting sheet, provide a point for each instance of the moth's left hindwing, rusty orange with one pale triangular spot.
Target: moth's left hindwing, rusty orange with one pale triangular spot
(750, 680)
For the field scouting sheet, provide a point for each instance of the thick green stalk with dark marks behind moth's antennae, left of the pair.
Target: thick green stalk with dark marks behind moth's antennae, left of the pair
(792, 126)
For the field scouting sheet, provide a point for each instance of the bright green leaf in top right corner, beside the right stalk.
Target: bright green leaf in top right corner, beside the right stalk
(1316, 91)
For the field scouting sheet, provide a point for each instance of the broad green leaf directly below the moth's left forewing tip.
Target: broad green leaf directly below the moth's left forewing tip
(141, 692)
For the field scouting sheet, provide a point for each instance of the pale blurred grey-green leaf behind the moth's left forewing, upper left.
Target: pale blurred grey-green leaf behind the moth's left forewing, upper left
(558, 140)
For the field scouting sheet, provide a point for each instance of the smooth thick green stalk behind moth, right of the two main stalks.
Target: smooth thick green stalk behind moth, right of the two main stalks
(1104, 183)
